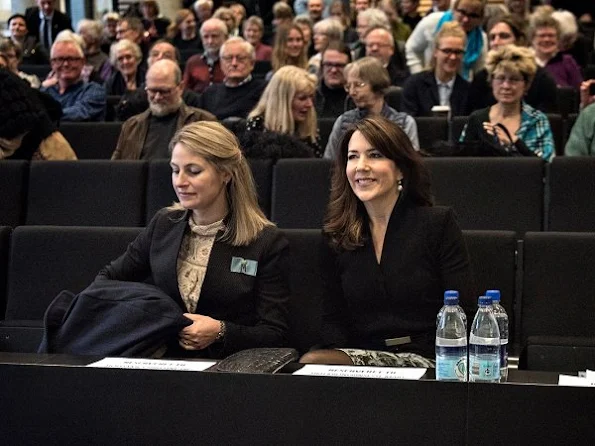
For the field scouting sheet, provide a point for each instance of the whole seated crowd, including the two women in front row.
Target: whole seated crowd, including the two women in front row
(390, 253)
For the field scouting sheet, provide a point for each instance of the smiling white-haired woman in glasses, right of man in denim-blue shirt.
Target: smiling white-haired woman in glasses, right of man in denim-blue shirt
(126, 57)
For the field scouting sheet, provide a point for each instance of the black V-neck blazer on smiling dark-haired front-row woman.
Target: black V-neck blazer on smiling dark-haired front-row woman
(423, 255)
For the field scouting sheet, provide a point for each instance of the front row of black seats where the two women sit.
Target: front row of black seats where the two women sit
(545, 280)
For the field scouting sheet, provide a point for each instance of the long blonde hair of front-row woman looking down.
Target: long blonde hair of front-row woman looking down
(218, 146)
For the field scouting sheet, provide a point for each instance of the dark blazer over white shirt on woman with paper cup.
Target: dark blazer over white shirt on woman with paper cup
(420, 94)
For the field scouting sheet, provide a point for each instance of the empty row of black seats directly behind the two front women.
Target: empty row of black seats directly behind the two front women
(517, 194)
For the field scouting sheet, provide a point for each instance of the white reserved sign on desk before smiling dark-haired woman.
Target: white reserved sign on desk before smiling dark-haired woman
(361, 372)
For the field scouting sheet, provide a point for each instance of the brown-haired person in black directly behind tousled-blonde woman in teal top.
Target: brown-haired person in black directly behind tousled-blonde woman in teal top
(542, 93)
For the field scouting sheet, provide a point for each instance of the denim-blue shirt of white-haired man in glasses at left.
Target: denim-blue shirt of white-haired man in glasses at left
(83, 101)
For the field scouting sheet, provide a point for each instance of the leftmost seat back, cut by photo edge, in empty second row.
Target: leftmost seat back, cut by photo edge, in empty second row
(13, 184)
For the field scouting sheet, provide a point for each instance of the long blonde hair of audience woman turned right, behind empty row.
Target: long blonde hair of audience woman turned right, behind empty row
(275, 103)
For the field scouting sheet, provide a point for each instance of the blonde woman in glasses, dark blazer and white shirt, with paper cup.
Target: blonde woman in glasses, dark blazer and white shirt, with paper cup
(441, 85)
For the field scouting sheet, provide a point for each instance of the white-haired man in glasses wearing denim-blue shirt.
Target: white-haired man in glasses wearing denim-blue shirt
(80, 100)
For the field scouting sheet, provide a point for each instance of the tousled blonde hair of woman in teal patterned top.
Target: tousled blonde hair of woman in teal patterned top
(512, 59)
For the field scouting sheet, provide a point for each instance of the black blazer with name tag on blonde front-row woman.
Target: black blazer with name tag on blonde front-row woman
(254, 308)
